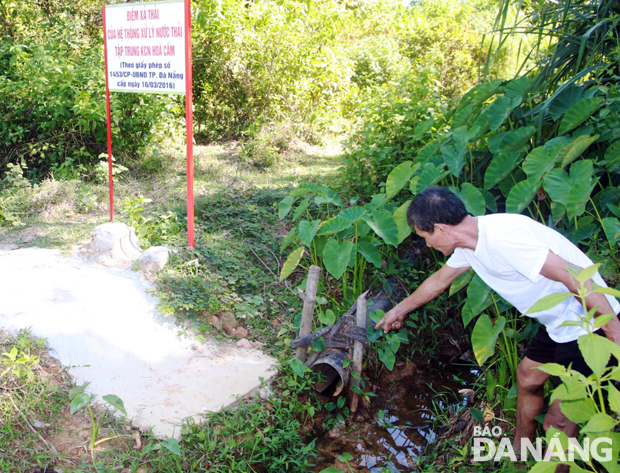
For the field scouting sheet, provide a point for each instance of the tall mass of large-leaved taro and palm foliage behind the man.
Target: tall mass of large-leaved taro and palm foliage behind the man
(544, 143)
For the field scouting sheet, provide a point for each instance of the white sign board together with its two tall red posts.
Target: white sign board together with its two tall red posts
(148, 49)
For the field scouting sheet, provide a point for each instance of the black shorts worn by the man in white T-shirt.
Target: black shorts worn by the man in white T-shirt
(544, 350)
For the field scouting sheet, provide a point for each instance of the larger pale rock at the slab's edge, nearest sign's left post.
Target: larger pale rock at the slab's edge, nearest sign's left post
(113, 244)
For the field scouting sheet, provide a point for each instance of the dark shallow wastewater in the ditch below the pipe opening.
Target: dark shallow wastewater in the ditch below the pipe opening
(392, 431)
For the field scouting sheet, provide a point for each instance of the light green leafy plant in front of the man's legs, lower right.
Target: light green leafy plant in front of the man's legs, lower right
(593, 402)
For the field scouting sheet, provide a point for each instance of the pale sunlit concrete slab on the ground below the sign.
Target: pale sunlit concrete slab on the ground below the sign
(104, 326)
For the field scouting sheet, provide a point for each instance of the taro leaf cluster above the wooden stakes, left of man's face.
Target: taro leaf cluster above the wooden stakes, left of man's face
(344, 239)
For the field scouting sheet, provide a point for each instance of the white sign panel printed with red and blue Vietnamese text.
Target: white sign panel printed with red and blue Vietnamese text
(145, 47)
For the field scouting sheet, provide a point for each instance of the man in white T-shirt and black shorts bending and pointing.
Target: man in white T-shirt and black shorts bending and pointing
(523, 261)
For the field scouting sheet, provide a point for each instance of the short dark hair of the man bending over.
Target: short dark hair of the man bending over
(435, 205)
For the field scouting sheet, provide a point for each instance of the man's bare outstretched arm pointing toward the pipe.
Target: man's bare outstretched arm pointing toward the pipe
(427, 291)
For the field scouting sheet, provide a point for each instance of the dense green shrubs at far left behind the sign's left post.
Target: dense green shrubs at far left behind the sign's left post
(53, 108)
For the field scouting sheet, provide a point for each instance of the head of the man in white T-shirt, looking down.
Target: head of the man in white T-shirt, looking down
(436, 208)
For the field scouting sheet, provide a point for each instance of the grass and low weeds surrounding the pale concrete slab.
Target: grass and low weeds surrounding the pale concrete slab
(233, 269)
